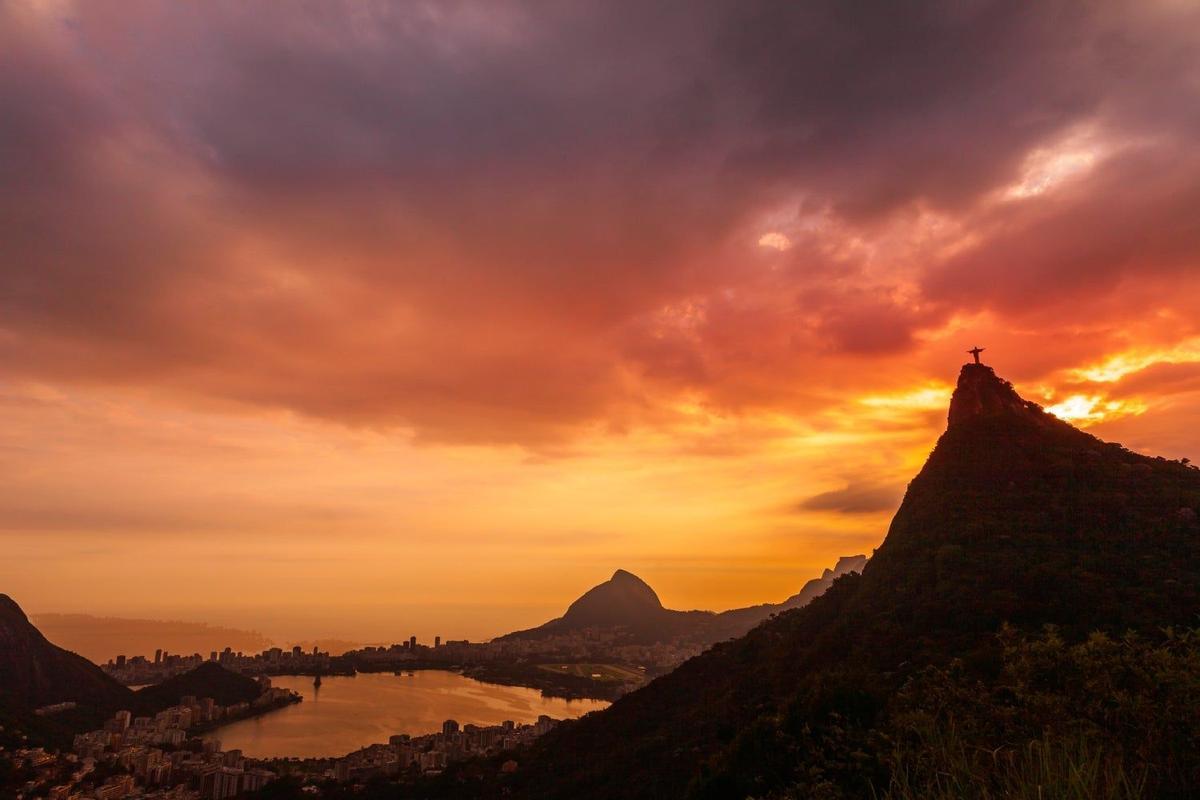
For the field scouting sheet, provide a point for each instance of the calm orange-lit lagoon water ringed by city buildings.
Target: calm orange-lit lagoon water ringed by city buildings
(351, 713)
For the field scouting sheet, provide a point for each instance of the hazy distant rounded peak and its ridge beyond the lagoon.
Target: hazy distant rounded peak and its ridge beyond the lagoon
(628, 606)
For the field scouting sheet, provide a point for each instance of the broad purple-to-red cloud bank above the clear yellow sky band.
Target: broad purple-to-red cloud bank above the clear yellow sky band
(499, 221)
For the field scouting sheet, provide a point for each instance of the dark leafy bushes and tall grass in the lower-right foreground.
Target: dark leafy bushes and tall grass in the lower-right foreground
(1103, 719)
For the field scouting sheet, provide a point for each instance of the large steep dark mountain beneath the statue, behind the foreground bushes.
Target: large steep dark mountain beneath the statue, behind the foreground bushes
(1016, 519)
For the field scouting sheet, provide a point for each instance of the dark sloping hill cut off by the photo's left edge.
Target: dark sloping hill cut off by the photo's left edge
(35, 673)
